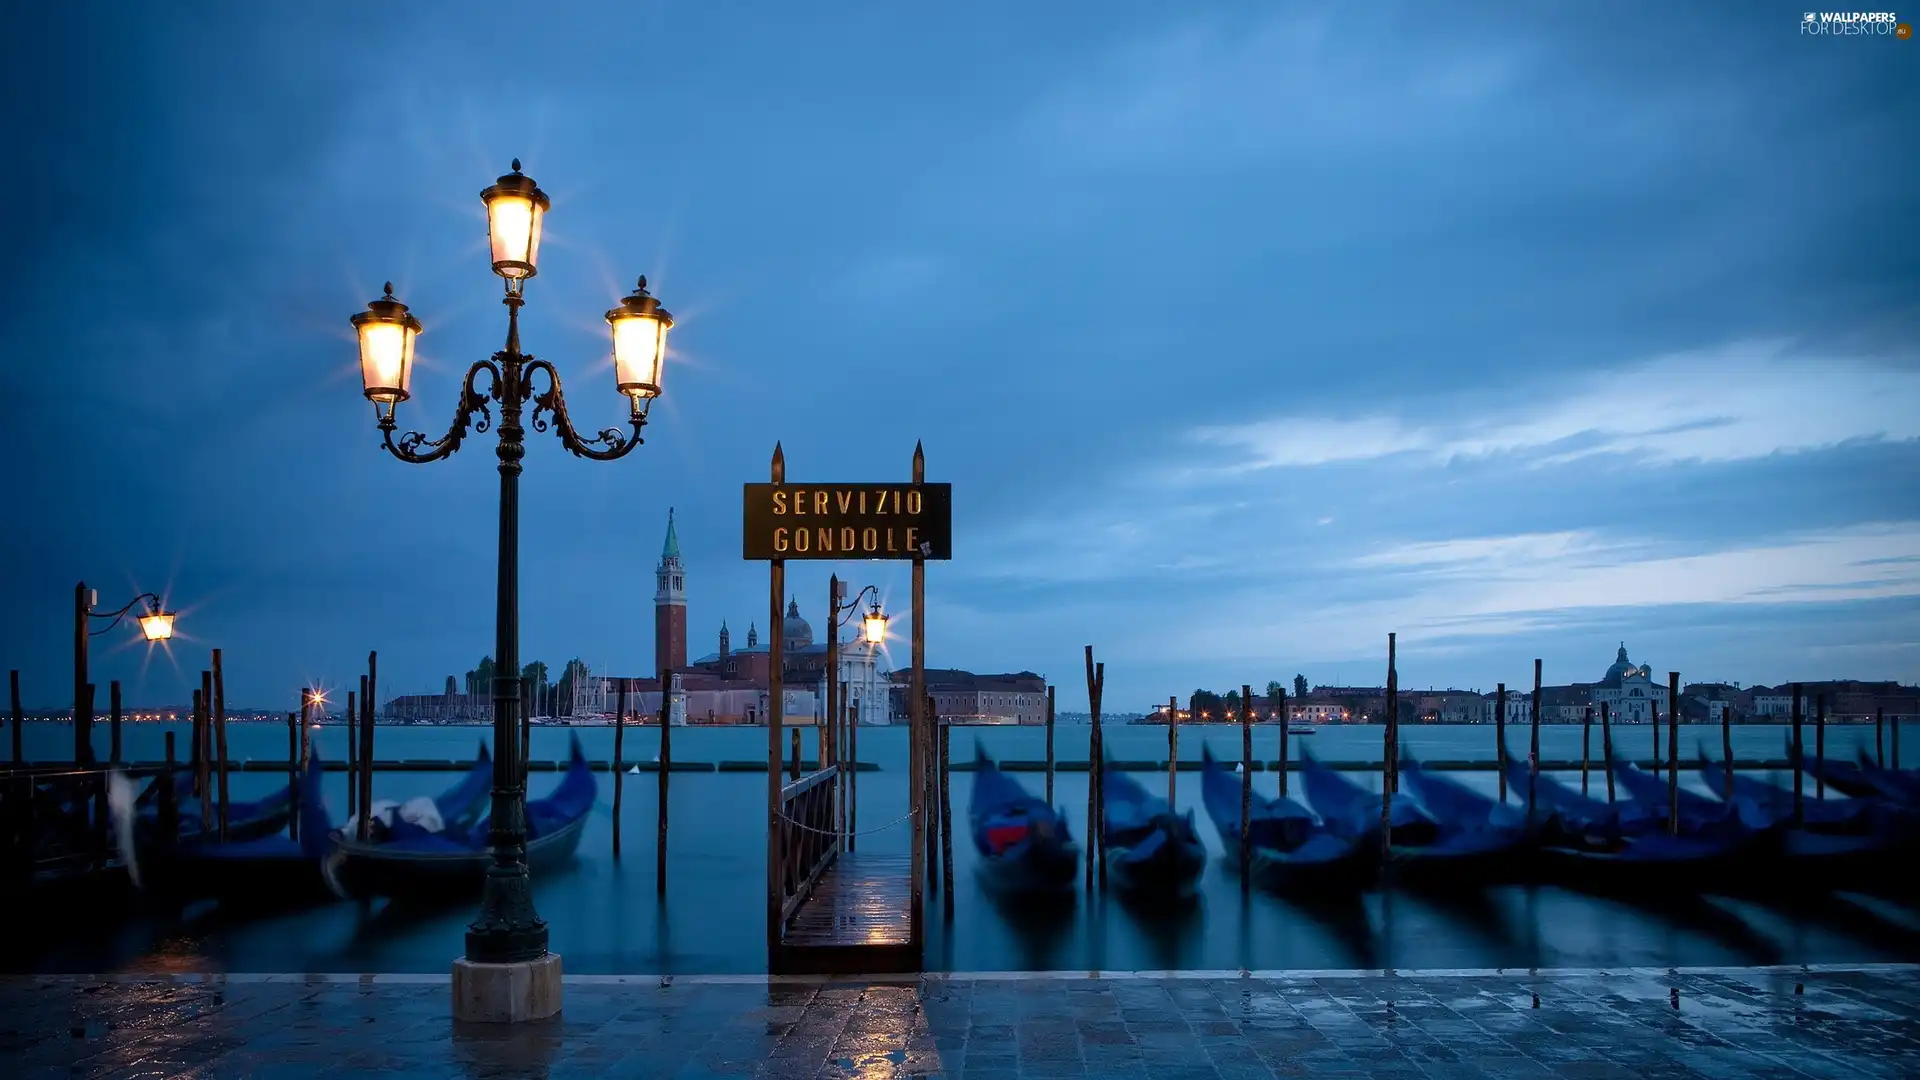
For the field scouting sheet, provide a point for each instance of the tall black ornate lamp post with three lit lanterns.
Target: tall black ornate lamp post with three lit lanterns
(508, 929)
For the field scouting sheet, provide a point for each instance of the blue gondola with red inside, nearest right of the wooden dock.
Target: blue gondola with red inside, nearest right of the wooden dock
(1024, 845)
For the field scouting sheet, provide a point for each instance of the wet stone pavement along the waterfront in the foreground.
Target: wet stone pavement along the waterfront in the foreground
(1641, 1025)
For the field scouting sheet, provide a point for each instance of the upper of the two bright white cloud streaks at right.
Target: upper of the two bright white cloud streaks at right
(1729, 405)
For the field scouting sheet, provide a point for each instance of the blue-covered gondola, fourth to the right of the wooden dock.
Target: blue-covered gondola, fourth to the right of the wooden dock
(1424, 848)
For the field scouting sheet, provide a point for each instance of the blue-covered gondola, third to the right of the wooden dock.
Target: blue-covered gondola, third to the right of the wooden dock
(1293, 852)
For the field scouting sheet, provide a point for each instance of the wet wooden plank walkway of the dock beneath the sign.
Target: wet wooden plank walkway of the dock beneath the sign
(857, 920)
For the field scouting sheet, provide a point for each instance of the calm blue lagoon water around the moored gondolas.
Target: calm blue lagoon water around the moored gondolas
(608, 920)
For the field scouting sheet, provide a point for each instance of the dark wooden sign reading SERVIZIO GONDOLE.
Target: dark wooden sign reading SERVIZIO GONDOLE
(848, 522)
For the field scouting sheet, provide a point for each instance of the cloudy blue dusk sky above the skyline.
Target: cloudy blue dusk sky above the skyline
(1245, 333)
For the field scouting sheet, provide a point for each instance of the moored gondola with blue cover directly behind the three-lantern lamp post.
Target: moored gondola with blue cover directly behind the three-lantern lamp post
(416, 864)
